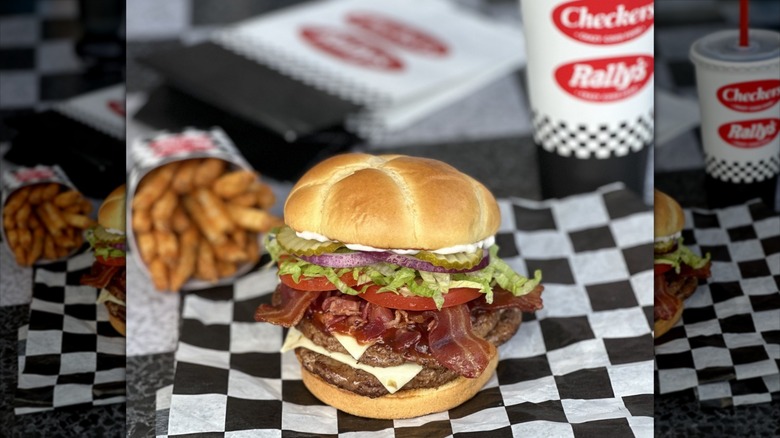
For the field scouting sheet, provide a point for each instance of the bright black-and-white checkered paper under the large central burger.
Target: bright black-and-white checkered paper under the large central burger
(581, 366)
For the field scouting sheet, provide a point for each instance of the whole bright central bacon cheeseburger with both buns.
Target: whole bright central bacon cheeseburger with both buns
(391, 285)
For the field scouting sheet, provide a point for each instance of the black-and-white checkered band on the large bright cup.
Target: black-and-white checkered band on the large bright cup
(584, 141)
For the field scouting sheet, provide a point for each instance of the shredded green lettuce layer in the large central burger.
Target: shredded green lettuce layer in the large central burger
(398, 279)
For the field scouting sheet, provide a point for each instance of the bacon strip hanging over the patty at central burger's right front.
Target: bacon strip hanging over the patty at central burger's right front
(454, 344)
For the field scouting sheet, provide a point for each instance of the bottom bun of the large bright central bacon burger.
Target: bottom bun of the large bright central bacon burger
(404, 403)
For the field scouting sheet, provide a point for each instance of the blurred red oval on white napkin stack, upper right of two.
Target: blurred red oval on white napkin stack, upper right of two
(401, 34)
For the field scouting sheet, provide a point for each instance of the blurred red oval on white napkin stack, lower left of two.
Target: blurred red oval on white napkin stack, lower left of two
(351, 48)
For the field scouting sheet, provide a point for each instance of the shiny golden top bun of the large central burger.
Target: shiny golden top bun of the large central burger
(392, 201)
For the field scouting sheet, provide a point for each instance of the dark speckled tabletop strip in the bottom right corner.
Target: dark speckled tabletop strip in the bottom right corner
(678, 415)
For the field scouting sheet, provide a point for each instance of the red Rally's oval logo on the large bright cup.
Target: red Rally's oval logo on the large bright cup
(605, 80)
